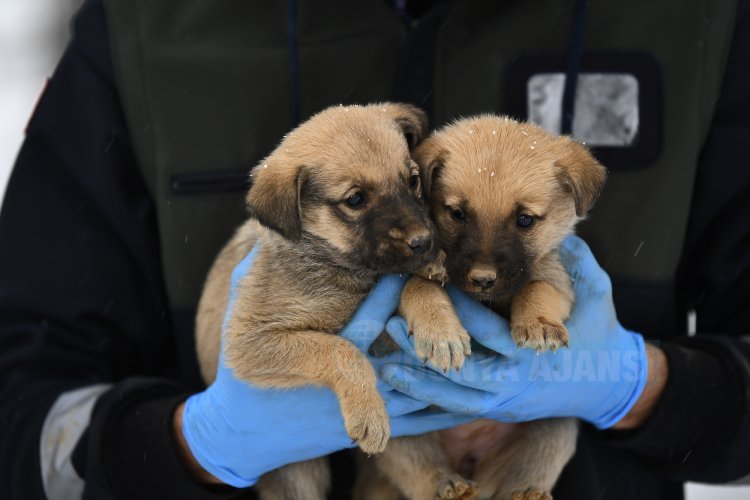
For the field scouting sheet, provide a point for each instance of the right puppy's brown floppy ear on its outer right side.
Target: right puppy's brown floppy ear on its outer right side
(580, 174)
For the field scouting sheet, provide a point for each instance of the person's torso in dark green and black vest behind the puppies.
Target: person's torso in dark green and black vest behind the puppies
(210, 88)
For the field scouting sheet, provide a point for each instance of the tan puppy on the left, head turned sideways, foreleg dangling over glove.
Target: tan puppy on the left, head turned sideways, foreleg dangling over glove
(335, 206)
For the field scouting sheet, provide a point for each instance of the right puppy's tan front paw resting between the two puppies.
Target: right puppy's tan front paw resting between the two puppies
(441, 341)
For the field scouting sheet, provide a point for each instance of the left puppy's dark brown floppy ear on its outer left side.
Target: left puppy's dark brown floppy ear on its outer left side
(274, 198)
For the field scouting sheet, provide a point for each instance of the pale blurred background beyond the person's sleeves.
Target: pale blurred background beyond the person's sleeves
(33, 35)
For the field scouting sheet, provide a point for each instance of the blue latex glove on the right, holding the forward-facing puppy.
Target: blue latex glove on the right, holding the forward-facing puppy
(597, 379)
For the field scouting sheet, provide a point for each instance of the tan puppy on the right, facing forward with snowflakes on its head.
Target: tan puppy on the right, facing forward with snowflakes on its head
(503, 196)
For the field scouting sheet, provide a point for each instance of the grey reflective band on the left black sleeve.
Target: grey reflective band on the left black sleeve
(65, 423)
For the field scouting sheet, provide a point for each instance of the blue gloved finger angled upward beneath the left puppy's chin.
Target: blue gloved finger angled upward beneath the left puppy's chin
(369, 319)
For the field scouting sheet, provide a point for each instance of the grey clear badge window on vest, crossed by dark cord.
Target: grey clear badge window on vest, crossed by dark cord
(606, 108)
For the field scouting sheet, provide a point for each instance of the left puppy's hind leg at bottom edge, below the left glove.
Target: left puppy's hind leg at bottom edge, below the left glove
(309, 480)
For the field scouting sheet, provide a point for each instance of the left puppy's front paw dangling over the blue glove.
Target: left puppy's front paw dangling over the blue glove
(367, 423)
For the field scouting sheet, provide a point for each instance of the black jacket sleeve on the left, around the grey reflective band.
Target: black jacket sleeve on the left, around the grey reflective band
(81, 296)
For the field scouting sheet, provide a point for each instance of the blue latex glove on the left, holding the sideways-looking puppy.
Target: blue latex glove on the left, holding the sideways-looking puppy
(238, 432)
